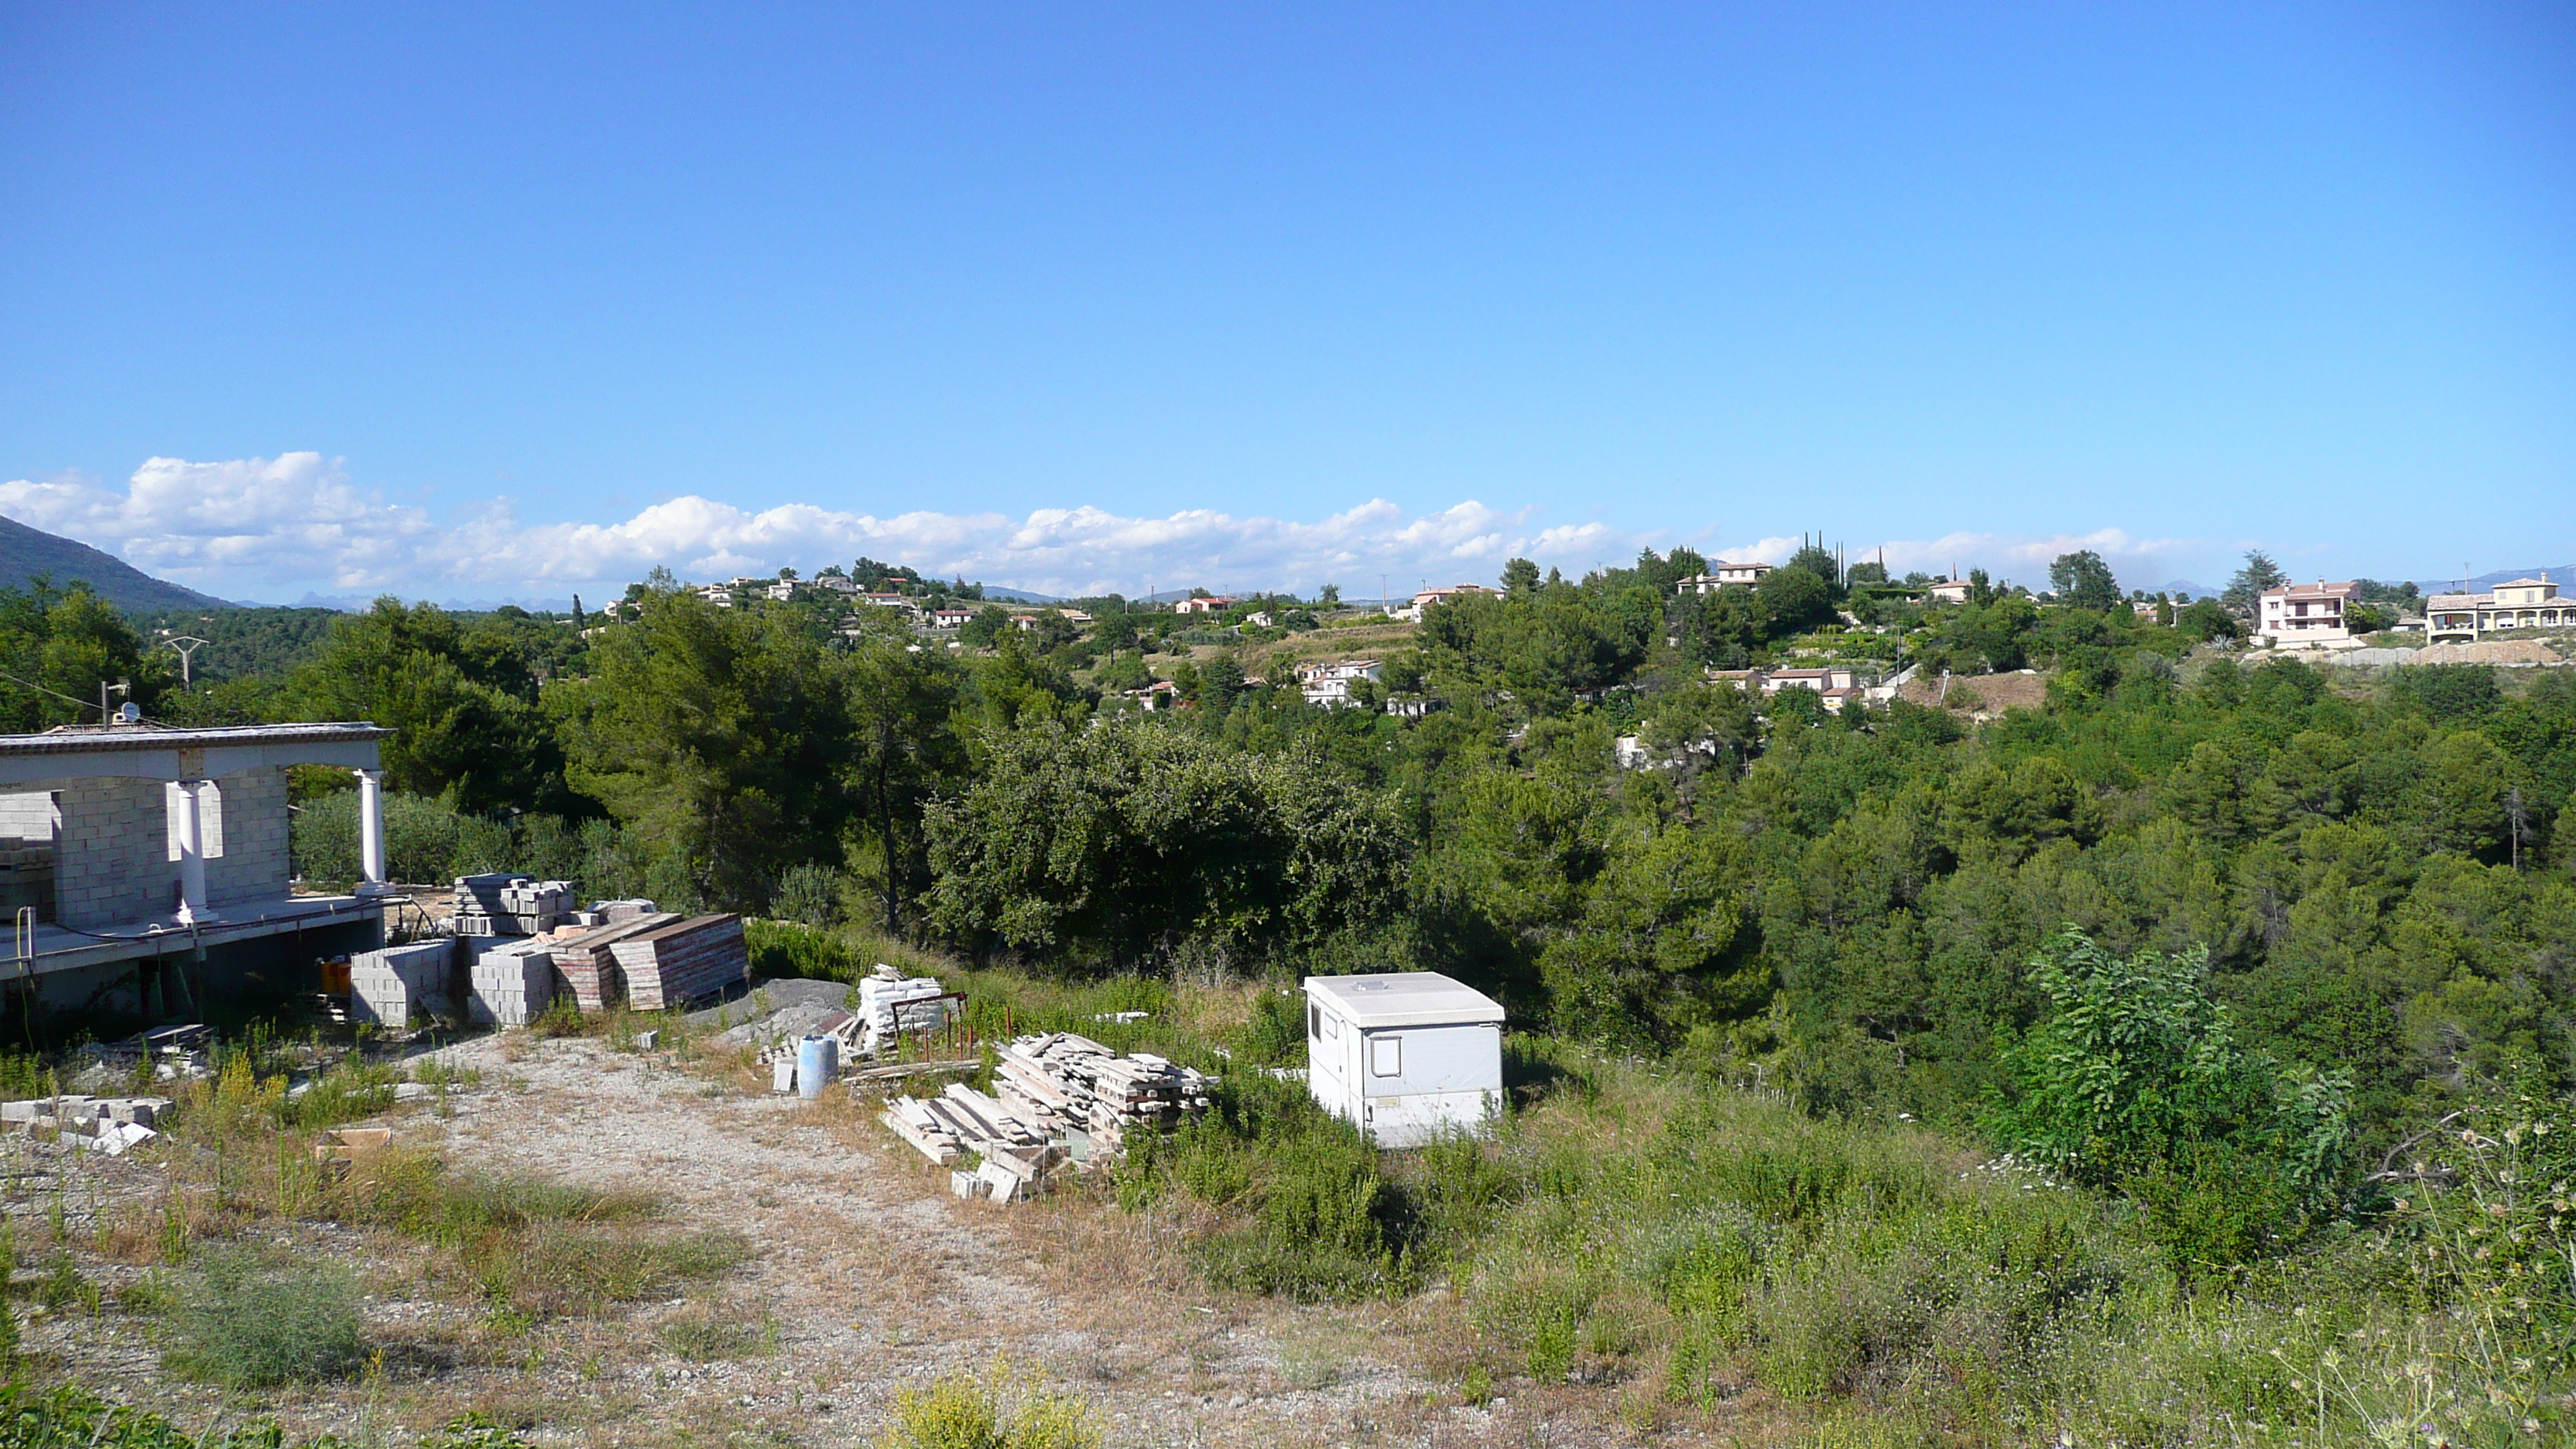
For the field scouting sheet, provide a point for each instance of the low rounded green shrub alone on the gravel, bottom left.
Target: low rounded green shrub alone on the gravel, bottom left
(251, 1321)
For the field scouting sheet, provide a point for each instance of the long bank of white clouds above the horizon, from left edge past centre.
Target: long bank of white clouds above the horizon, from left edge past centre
(292, 525)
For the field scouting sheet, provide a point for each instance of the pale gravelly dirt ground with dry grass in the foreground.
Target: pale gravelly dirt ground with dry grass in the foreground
(864, 1278)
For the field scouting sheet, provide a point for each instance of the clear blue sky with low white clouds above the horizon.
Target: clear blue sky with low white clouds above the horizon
(522, 300)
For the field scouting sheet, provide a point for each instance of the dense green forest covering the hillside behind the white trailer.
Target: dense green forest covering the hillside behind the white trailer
(2217, 935)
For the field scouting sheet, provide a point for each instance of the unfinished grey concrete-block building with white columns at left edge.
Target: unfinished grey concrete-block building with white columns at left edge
(148, 870)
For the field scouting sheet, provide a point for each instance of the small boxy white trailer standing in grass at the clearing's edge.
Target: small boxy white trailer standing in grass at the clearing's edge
(1405, 1058)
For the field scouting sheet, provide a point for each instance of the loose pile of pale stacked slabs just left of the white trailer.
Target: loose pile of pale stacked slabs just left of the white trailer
(1060, 1097)
